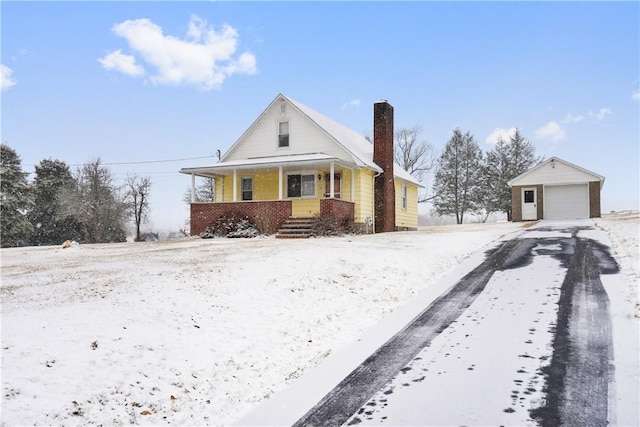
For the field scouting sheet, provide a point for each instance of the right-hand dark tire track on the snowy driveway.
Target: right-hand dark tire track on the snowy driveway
(577, 380)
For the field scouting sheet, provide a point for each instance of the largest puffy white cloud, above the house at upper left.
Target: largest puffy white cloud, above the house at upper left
(205, 57)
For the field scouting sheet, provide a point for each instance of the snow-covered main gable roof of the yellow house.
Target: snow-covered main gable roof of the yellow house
(360, 149)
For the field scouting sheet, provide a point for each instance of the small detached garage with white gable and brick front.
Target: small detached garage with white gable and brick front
(556, 189)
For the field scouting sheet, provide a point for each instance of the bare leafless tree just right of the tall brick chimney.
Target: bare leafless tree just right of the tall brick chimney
(413, 155)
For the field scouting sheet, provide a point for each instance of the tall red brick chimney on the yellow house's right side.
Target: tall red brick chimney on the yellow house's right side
(385, 196)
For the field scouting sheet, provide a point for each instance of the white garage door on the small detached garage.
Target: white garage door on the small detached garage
(566, 201)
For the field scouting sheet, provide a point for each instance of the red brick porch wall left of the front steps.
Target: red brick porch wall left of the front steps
(267, 215)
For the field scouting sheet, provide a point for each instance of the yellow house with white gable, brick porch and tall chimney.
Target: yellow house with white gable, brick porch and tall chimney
(293, 162)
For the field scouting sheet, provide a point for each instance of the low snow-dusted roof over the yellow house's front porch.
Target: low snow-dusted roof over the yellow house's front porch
(226, 168)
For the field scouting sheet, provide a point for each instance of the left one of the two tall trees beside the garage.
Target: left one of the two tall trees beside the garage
(458, 176)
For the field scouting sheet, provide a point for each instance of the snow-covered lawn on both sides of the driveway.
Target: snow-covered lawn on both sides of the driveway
(201, 331)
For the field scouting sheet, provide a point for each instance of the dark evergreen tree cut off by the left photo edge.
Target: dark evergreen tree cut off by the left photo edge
(15, 228)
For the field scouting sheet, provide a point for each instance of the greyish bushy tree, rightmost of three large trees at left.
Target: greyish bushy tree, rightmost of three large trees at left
(98, 204)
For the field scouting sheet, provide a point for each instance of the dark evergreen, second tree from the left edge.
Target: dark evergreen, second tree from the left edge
(51, 225)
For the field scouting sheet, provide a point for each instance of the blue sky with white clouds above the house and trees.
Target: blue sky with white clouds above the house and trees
(134, 82)
